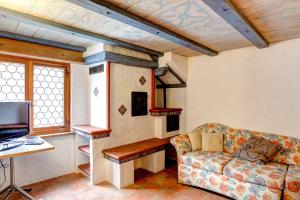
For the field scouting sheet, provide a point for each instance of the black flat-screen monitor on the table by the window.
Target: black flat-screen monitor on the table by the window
(14, 120)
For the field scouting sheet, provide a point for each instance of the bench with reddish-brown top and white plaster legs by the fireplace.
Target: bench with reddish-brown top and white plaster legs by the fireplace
(150, 154)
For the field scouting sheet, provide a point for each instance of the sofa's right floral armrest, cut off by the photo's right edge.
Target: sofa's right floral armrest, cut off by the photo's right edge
(292, 183)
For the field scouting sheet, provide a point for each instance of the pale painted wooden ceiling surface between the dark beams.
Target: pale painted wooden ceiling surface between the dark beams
(275, 20)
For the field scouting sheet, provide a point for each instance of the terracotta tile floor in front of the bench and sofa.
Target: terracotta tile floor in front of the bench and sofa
(162, 185)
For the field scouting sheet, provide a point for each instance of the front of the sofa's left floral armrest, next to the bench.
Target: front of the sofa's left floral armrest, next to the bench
(182, 145)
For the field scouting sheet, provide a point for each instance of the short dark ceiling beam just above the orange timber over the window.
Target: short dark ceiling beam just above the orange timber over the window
(25, 38)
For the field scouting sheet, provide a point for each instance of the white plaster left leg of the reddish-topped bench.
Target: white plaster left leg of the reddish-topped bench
(120, 175)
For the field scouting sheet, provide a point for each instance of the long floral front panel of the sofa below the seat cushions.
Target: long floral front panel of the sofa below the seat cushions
(225, 185)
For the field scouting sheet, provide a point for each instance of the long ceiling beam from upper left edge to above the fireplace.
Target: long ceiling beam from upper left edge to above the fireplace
(29, 19)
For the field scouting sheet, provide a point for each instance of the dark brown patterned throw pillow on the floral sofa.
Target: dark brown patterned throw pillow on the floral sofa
(257, 149)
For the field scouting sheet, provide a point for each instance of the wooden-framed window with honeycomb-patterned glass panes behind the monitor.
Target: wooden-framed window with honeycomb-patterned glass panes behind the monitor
(45, 84)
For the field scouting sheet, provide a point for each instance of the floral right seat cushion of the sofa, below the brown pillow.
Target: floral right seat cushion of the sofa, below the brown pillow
(272, 174)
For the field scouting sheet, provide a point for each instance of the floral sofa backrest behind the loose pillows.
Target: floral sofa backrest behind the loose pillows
(234, 138)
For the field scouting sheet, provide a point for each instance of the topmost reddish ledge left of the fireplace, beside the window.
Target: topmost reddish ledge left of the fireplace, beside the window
(92, 131)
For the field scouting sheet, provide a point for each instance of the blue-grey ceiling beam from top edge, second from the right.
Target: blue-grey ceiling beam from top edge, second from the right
(112, 11)
